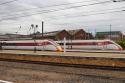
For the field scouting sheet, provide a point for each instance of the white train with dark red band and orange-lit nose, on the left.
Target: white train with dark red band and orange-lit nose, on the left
(31, 45)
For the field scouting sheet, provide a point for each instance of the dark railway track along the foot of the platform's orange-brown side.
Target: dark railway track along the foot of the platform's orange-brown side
(67, 65)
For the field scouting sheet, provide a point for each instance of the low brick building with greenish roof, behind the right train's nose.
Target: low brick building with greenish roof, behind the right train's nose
(113, 35)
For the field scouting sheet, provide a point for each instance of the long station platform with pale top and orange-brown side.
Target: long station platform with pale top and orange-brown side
(115, 60)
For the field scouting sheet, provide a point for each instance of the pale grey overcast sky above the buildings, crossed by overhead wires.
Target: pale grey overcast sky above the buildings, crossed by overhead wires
(90, 15)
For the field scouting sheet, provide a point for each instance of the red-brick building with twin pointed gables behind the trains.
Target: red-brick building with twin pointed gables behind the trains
(78, 34)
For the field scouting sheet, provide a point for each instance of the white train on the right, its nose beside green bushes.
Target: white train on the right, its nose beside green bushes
(91, 44)
